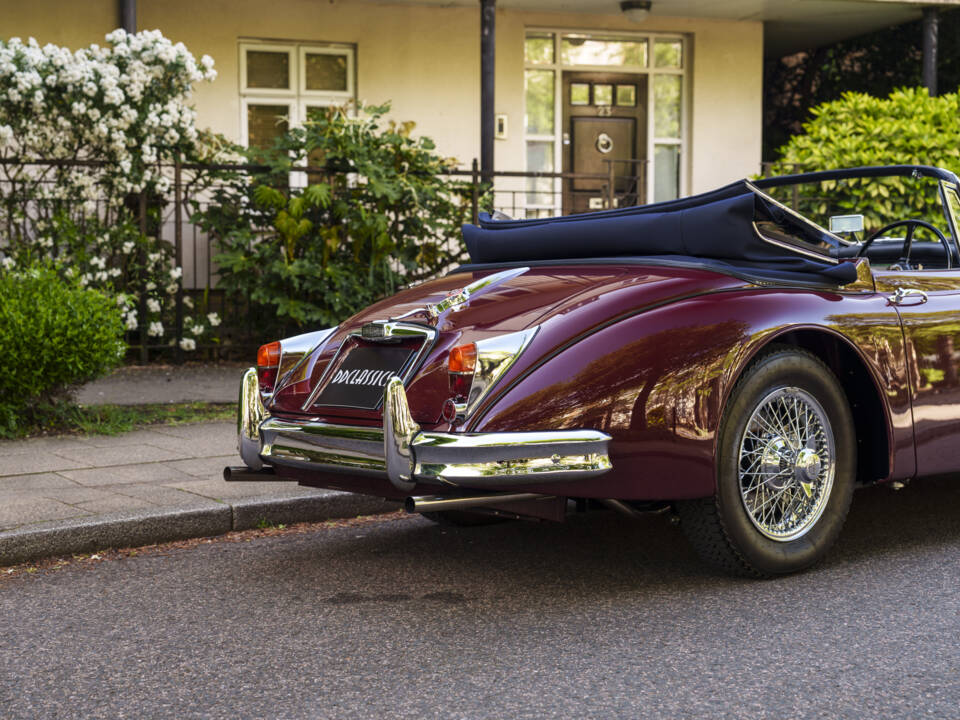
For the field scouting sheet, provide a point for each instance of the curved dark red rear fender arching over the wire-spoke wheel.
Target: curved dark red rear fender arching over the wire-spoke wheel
(658, 381)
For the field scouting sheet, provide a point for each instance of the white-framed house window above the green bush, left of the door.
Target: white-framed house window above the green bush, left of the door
(280, 83)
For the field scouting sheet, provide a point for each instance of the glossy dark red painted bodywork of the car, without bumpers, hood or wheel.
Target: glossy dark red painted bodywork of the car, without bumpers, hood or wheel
(649, 351)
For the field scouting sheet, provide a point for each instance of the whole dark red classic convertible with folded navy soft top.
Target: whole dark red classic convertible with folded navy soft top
(720, 356)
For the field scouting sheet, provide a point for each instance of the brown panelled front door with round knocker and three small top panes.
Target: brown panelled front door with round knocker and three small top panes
(604, 120)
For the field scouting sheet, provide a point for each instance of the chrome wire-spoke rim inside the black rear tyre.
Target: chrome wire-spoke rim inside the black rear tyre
(787, 464)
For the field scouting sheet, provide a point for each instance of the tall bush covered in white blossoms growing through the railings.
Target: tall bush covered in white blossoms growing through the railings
(112, 118)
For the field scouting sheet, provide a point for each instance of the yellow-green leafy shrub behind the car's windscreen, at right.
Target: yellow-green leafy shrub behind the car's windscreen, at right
(907, 128)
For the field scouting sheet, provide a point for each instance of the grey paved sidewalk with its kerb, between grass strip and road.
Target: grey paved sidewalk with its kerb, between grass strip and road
(63, 495)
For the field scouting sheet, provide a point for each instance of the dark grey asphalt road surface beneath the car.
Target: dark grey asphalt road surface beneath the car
(601, 617)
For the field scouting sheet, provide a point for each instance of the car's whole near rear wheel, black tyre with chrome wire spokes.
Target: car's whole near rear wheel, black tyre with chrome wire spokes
(728, 535)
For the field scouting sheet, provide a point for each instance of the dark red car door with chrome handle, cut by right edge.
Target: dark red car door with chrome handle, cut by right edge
(928, 302)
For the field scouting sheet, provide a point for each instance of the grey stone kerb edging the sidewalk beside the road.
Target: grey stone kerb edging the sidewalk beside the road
(208, 518)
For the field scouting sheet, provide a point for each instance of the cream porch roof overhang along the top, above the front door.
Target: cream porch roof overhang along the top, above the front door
(789, 25)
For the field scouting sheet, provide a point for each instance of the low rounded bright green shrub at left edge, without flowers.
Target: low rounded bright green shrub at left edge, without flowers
(57, 335)
